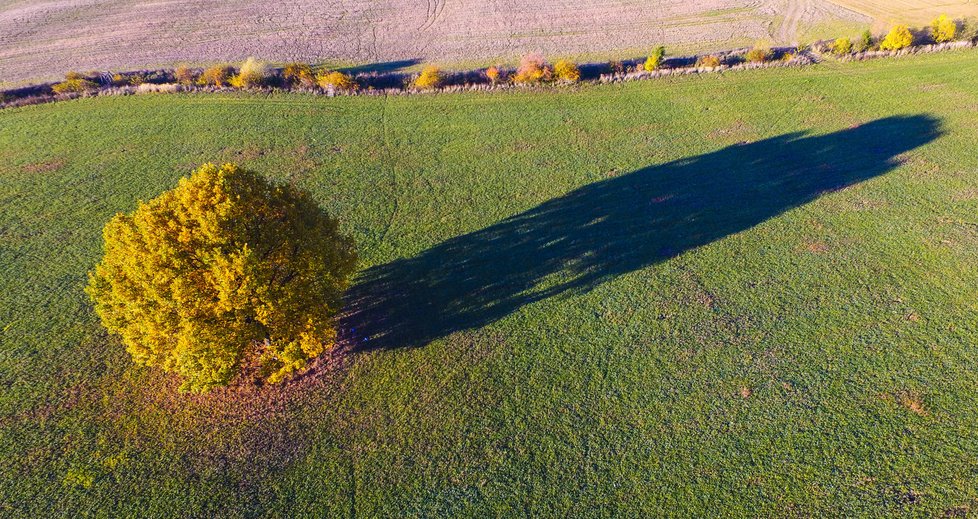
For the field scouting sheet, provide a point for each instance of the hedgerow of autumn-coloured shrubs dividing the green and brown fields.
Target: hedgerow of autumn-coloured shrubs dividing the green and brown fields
(533, 69)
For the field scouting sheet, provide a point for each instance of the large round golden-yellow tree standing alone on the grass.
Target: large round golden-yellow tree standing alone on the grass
(226, 269)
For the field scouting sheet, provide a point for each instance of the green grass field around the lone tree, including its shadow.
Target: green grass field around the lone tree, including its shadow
(727, 295)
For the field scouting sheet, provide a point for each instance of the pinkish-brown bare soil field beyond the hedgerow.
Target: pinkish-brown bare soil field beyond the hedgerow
(45, 38)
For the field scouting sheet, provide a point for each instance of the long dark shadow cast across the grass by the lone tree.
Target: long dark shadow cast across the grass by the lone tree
(612, 227)
